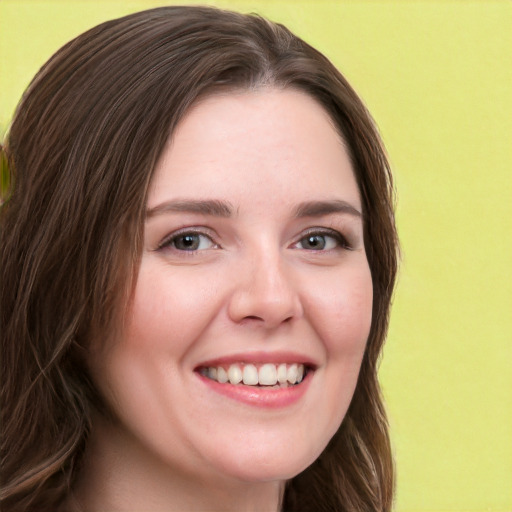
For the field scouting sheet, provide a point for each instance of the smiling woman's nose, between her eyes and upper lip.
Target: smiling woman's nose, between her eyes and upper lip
(266, 293)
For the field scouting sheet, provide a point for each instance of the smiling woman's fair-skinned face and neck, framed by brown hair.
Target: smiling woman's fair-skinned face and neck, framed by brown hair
(253, 257)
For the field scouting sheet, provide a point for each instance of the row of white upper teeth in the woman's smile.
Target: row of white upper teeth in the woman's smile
(267, 375)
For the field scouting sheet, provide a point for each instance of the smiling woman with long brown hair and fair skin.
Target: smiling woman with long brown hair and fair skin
(198, 255)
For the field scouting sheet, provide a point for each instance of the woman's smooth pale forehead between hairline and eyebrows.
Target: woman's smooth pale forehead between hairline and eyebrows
(268, 143)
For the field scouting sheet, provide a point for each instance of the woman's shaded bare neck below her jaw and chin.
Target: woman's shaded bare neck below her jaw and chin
(121, 475)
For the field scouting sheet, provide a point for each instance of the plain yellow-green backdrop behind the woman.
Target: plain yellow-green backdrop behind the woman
(437, 76)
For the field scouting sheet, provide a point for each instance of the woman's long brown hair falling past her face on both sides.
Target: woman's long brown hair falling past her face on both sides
(81, 152)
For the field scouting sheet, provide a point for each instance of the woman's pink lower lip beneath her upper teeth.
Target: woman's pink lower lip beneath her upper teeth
(260, 396)
